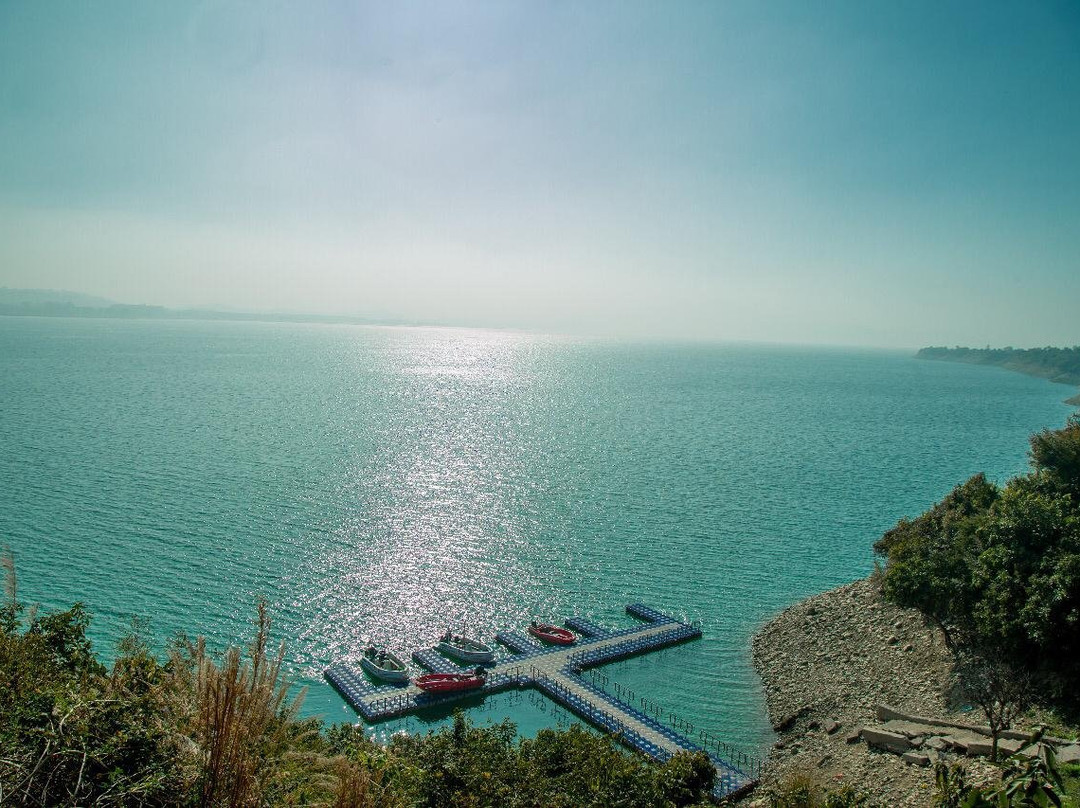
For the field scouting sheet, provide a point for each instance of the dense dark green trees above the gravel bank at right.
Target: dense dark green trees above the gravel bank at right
(998, 571)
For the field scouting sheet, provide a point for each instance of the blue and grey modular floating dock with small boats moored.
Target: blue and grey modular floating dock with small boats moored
(556, 671)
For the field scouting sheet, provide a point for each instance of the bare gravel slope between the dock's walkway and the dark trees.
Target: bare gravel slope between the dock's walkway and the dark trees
(831, 661)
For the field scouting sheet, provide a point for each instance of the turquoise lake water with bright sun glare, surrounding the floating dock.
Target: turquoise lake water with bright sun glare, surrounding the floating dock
(384, 484)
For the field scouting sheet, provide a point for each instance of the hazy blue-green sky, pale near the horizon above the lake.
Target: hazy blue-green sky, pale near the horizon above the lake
(892, 174)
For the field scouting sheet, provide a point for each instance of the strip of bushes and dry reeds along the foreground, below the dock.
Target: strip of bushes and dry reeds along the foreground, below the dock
(201, 732)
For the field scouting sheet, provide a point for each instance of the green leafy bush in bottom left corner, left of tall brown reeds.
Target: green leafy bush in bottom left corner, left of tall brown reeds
(73, 733)
